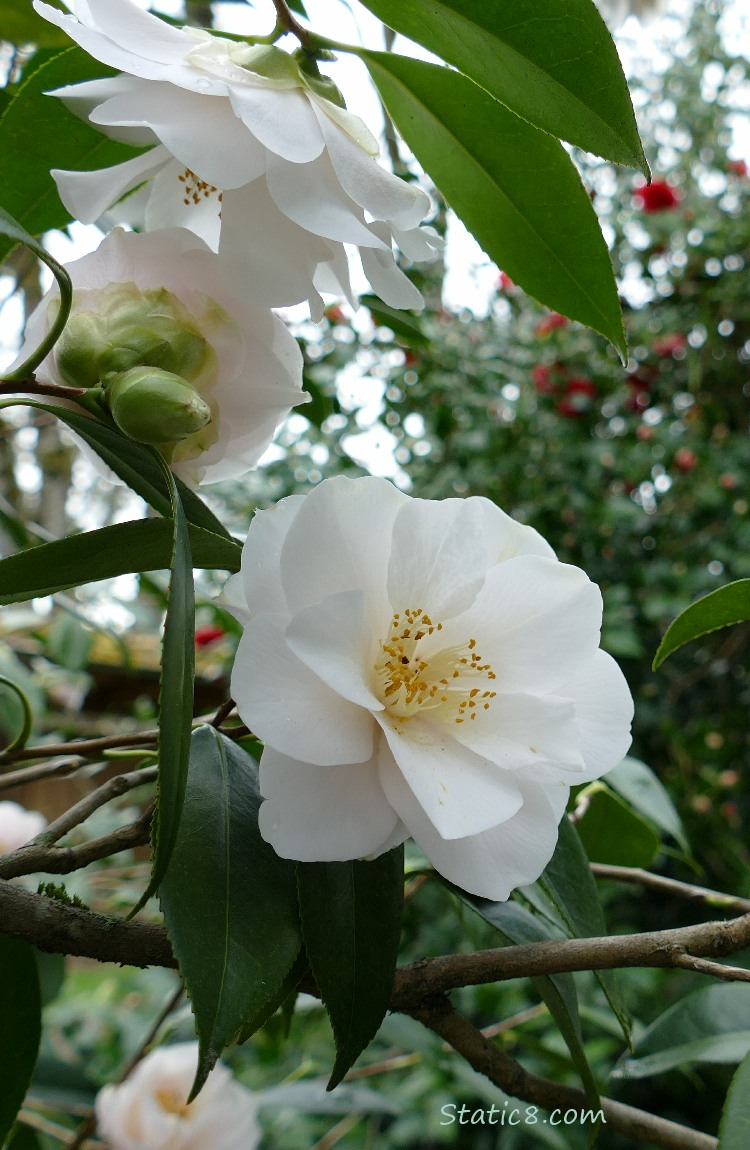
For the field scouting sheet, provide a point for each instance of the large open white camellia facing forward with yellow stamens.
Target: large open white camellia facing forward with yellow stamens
(420, 668)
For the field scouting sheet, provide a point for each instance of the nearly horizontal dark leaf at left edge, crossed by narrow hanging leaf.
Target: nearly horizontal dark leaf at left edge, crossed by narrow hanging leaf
(142, 546)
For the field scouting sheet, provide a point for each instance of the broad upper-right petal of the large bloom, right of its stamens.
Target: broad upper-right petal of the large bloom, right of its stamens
(537, 623)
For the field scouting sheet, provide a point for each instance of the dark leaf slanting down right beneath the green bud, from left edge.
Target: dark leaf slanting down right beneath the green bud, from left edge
(134, 464)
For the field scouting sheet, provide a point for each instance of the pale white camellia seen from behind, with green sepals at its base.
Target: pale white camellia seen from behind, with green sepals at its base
(164, 300)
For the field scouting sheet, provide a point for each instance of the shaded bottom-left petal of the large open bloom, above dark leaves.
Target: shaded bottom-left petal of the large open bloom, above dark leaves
(318, 815)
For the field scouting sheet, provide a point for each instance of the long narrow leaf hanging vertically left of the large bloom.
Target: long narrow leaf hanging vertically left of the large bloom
(175, 696)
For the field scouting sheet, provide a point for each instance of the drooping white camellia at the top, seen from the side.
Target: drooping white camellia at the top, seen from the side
(252, 152)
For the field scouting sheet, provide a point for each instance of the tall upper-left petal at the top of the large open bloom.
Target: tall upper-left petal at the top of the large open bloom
(341, 541)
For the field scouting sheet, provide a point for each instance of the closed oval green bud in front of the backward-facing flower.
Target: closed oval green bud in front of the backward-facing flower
(155, 407)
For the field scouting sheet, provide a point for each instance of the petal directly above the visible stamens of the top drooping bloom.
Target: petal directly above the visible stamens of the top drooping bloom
(200, 132)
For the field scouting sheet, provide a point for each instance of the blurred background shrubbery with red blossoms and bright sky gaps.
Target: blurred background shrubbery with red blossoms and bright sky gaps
(637, 473)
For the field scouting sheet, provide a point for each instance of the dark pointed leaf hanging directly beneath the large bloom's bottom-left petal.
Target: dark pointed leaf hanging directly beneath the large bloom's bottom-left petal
(351, 915)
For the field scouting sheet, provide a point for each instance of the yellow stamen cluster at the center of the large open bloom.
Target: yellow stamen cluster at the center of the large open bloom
(412, 681)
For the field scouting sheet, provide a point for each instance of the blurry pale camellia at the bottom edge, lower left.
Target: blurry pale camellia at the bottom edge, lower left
(150, 1111)
